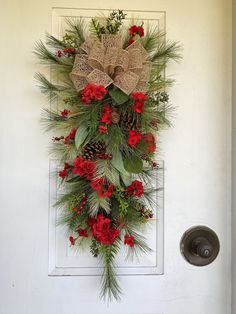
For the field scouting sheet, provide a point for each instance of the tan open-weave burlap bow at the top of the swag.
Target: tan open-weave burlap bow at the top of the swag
(105, 63)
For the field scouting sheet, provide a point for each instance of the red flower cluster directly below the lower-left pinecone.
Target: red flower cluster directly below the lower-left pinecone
(84, 167)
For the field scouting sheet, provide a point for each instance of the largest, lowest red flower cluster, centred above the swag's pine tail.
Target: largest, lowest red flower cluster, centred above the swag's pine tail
(102, 231)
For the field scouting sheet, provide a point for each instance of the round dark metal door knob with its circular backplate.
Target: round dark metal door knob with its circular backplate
(200, 246)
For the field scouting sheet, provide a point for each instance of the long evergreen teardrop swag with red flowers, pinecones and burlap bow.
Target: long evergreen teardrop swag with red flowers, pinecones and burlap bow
(111, 103)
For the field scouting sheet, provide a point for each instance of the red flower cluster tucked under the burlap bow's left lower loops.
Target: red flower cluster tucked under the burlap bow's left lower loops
(93, 92)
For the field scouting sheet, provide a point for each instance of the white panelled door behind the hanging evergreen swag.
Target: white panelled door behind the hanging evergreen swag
(196, 153)
